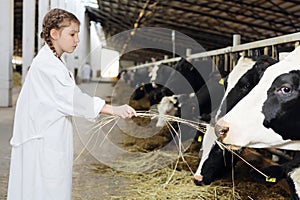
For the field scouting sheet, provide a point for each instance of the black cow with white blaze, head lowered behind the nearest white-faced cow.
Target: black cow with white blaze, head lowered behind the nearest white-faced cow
(245, 75)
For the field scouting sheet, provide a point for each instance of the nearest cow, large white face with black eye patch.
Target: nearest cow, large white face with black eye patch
(273, 120)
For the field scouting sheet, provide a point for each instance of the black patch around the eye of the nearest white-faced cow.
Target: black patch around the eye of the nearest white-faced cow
(281, 109)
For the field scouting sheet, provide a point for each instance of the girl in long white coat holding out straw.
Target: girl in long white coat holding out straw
(42, 146)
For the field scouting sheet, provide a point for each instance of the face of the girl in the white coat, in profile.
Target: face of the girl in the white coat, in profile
(66, 39)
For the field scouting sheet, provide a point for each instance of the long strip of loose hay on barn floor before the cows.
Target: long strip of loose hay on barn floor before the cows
(175, 179)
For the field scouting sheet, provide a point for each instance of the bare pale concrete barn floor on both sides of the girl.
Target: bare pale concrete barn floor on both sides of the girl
(85, 184)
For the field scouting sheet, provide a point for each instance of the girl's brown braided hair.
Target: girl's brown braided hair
(56, 19)
